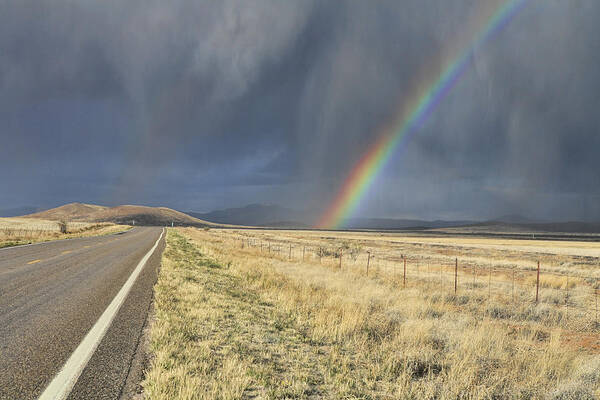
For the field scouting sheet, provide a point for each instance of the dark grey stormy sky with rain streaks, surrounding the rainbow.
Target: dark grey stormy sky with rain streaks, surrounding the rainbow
(203, 105)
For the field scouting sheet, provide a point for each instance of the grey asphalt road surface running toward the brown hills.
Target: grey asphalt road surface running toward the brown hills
(52, 294)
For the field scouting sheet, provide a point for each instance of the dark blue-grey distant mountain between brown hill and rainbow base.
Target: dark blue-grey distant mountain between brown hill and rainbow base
(256, 215)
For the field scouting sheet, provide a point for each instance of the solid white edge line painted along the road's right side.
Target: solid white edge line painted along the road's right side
(63, 382)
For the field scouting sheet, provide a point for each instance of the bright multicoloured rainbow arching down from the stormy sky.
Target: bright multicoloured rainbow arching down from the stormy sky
(410, 118)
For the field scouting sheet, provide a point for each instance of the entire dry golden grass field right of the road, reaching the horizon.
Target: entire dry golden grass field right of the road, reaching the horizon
(271, 314)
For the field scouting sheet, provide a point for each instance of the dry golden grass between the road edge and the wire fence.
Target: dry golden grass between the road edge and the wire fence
(235, 322)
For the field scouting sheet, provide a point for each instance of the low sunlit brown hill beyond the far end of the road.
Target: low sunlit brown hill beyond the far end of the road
(126, 214)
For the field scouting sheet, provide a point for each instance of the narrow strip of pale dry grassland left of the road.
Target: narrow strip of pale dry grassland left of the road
(18, 231)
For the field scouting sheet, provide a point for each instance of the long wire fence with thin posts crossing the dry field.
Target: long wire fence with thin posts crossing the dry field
(572, 298)
